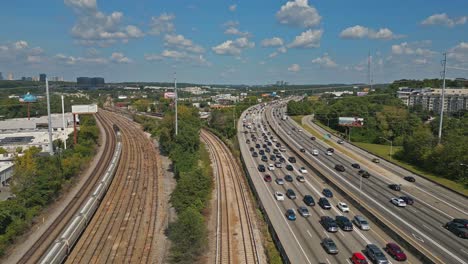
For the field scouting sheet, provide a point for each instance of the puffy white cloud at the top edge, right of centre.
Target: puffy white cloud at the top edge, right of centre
(298, 13)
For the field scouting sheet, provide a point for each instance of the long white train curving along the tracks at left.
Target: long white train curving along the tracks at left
(60, 249)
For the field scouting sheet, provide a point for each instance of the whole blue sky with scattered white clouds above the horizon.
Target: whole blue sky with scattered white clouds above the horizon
(238, 42)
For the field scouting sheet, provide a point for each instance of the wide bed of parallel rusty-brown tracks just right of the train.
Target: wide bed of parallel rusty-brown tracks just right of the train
(127, 224)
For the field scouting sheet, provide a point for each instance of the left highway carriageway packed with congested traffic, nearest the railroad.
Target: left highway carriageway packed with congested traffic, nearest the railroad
(301, 238)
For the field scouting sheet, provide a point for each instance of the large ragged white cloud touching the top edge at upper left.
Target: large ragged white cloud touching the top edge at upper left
(94, 26)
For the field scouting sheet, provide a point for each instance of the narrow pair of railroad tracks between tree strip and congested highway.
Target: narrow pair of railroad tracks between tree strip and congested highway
(236, 241)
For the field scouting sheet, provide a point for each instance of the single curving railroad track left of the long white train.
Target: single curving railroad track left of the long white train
(47, 238)
